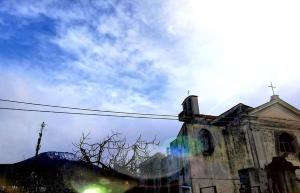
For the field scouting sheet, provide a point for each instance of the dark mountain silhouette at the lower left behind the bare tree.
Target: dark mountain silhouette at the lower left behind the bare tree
(57, 172)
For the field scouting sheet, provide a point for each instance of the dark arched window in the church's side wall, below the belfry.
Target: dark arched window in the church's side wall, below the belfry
(206, 142)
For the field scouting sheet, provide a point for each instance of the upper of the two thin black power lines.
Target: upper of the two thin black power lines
(86, 109)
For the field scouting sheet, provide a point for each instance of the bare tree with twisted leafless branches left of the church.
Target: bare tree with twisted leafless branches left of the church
(114, 151)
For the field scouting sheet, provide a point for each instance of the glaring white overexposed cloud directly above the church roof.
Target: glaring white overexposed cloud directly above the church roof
(235, 47)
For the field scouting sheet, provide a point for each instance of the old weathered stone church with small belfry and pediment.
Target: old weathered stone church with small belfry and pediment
(245, 149)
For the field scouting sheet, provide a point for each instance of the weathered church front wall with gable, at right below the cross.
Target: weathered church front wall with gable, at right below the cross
(279, 117)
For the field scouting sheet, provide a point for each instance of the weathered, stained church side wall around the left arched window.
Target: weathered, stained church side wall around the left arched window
(231, 153)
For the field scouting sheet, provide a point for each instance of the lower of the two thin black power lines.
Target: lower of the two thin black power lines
(78, 113)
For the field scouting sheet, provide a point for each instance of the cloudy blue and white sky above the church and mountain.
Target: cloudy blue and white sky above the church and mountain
(138, 56)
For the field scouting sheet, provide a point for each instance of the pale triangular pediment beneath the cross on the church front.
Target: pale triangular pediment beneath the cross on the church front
(276, 109)
